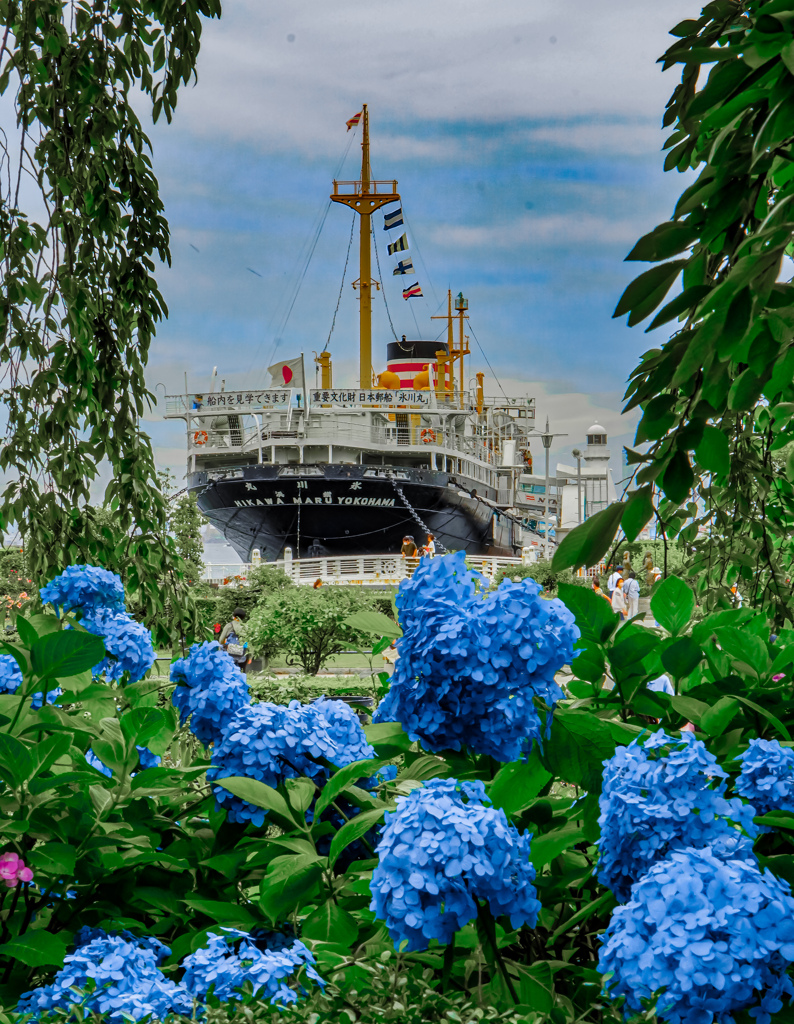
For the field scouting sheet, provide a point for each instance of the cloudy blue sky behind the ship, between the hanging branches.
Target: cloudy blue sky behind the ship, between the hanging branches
(526, 139)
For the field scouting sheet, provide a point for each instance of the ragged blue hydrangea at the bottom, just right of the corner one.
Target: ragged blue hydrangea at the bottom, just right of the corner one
(232, 960)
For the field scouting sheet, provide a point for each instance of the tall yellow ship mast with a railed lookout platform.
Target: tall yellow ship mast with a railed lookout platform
(365, 197)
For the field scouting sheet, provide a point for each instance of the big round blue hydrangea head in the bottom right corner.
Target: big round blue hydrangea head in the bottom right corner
(714, 932)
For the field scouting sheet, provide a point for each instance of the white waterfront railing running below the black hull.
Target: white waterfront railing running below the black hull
(363, 571)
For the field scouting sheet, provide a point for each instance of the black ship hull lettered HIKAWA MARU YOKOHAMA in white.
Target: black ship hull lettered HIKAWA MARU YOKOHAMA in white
(350, 510)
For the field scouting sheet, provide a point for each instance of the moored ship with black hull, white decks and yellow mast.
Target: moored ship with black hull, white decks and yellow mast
(416, 450)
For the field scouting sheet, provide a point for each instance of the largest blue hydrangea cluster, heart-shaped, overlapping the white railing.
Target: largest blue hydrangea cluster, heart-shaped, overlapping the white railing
(470, 666)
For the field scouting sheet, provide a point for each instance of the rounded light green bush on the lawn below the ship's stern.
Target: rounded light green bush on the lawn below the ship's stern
(307, 625)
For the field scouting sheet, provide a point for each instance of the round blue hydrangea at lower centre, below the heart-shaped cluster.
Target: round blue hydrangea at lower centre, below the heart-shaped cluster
(444, 848)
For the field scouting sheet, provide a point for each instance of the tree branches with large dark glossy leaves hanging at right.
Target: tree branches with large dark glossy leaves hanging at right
(718, 399)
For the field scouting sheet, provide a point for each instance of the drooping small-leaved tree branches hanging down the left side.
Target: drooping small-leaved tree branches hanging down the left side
(79, 302)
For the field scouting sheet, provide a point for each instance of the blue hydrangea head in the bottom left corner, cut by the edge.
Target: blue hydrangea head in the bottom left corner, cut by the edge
(128, 979)
